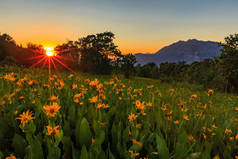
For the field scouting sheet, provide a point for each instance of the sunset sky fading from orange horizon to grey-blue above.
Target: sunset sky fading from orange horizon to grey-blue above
(139, 25)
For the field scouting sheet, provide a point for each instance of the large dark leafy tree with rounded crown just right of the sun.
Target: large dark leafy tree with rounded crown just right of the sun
(97, 52)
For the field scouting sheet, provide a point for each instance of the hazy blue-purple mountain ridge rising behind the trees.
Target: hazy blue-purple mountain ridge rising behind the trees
(189, 51)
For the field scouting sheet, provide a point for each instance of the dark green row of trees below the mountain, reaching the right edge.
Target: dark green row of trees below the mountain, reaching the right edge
(220, 73)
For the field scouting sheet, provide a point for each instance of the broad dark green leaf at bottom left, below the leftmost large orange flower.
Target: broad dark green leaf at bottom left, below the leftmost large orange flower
(19, 144)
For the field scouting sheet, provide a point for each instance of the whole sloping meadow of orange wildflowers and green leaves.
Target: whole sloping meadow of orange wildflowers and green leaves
(85, 116)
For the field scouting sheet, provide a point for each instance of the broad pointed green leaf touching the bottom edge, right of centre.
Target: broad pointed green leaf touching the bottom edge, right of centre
(162, 147)
